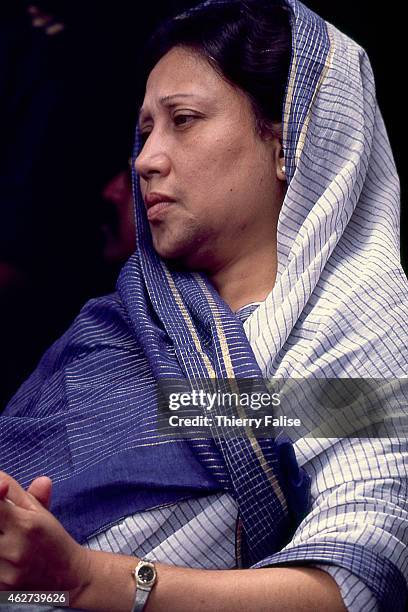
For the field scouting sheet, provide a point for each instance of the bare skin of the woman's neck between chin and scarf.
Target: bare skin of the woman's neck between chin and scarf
(248, 279)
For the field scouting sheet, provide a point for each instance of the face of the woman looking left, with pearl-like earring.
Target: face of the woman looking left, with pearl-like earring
(211, 185)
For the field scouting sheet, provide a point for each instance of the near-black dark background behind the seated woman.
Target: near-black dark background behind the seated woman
(67, 112)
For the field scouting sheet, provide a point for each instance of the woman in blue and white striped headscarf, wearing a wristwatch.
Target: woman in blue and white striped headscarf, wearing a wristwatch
(294, 227)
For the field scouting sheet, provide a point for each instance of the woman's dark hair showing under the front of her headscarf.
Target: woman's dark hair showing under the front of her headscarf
(247, 42)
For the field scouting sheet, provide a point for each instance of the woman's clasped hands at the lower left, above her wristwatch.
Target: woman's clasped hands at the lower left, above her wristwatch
(36, 552)
